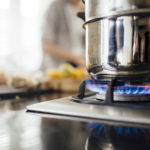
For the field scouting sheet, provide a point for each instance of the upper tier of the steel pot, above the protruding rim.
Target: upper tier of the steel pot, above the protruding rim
(103, 8)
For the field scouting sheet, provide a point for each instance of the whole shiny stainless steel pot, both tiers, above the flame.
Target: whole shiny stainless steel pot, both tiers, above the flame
(118, 38)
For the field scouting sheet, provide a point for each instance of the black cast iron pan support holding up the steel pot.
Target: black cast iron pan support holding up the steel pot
(109, 98)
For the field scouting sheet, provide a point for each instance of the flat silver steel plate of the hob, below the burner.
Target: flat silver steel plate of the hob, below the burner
(65, 108)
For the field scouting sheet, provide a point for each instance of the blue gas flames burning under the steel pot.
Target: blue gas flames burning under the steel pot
(122, 89)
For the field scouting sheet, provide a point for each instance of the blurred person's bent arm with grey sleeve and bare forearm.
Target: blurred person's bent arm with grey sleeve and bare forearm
(49, 38)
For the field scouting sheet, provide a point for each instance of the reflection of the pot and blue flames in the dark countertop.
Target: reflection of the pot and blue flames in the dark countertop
(104, 137)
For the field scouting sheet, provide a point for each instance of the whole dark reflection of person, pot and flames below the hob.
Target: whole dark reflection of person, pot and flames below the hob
(71, 135)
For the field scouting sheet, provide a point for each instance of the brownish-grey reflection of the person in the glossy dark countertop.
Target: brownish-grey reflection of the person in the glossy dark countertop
(63, 135)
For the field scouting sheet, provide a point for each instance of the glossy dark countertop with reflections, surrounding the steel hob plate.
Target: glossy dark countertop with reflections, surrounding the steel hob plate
(24, 131)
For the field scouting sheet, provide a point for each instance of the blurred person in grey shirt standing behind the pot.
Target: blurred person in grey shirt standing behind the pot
(63, 35)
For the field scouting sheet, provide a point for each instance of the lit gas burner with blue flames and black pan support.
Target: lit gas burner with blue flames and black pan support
(114, 93)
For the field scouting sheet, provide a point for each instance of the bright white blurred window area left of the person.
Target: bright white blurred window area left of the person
(20, 34)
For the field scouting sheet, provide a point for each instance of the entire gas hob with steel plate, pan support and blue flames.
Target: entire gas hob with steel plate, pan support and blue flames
(111, 101)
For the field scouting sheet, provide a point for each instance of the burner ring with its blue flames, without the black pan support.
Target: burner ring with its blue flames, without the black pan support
(122, 91)
